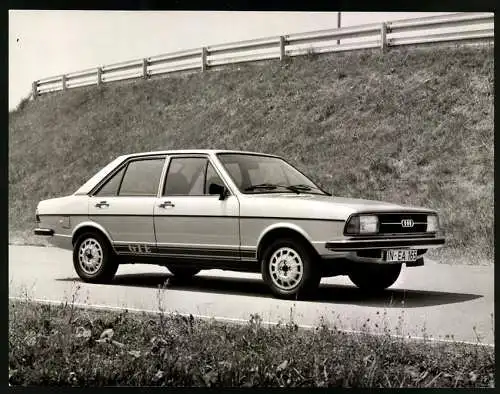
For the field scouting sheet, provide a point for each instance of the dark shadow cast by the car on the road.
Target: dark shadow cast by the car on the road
(327, 293)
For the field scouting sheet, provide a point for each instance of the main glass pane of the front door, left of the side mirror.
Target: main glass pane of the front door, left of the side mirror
(185, 177)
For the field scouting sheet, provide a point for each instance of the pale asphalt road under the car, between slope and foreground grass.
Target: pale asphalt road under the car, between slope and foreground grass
(436, 300)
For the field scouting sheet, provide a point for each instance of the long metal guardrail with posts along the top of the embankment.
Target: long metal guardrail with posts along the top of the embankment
(435, 29)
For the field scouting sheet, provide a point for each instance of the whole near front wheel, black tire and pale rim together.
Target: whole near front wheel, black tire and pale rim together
(297, 276)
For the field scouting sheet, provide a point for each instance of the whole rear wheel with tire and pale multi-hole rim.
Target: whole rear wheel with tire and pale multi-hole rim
(100, 264)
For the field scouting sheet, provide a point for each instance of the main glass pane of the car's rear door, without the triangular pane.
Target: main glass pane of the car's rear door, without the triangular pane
(142, 178)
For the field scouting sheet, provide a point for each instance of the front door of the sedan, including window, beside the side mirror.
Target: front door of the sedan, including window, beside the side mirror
(188, 221)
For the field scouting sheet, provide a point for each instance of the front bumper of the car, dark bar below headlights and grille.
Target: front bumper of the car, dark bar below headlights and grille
(350, 245)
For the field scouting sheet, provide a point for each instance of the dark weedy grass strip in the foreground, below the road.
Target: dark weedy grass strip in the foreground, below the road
(67, 346)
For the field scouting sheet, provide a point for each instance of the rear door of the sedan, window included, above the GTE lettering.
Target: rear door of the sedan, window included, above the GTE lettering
(124, 205)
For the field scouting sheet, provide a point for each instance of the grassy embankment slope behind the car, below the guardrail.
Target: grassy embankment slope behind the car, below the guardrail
(412, 126)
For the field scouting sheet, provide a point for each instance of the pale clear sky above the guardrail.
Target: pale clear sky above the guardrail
(48, 43)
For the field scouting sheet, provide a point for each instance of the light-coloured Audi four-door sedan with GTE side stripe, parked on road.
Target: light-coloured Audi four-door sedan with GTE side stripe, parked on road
(192, 210)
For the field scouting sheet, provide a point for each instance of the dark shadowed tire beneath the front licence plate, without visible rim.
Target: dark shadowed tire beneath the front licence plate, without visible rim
(375, 277)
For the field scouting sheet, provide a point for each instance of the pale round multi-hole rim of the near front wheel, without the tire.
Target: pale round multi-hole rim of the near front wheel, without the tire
(286, 268)
